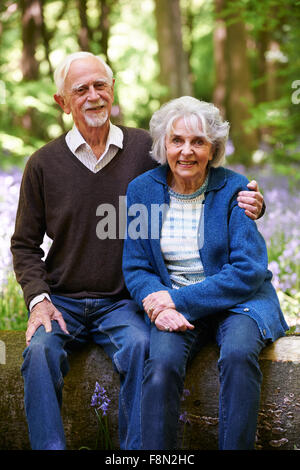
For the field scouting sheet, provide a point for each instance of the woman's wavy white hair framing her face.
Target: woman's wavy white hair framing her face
(200, 117)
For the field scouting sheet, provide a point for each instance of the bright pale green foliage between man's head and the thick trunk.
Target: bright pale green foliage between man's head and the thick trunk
(133, 53)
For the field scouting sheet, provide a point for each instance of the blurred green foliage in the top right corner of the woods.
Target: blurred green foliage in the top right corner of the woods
(278, 118)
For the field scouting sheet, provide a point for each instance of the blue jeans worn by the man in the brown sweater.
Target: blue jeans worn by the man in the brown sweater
(116, 325)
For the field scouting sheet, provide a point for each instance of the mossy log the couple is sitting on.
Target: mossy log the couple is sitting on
(279, 416)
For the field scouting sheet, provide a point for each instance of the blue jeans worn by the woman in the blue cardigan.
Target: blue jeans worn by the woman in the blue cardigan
(240, 343)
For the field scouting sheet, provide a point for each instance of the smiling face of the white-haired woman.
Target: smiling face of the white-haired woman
(188, 155)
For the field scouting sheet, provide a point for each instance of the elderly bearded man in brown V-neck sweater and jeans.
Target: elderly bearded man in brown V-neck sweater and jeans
(77, 293)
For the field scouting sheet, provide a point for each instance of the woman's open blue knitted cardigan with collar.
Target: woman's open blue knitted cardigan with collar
(233, 254)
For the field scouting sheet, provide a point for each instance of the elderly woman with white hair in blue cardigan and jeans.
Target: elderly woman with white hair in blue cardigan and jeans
(198, 267)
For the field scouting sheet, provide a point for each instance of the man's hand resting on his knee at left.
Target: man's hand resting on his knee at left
(42, 314)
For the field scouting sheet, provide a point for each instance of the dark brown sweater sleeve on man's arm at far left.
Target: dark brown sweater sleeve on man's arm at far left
(28, 236)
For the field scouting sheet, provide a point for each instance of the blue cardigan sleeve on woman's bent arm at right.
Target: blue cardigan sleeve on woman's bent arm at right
(237, 281)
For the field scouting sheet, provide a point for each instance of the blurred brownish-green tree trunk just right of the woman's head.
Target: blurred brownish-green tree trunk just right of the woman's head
(233, 94)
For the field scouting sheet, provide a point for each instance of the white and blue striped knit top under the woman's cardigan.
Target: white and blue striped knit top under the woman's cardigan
(181, 238)
